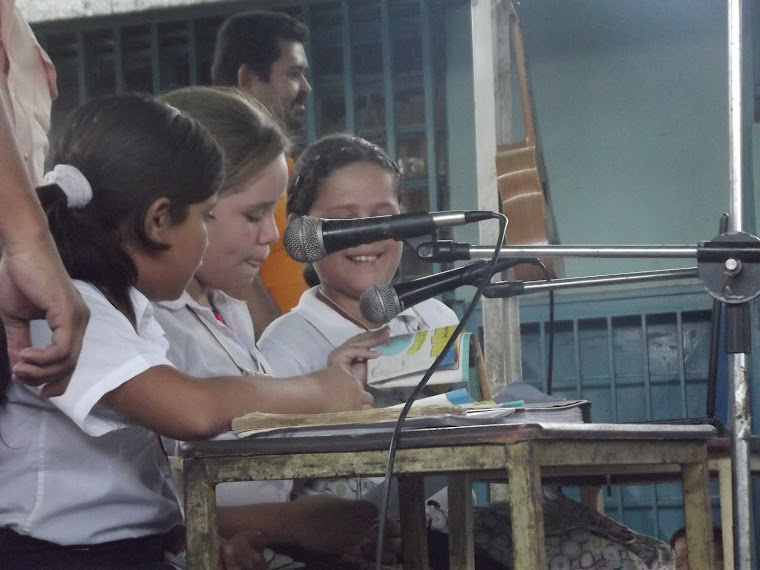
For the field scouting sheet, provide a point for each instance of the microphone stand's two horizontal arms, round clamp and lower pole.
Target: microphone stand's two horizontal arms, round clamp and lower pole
(728, 268)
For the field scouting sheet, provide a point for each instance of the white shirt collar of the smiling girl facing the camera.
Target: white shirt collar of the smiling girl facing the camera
(335, 327)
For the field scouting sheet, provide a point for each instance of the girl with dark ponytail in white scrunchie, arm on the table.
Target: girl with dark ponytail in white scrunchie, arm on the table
(83, 480)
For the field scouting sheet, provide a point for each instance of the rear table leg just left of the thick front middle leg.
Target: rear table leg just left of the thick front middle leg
(461, 546)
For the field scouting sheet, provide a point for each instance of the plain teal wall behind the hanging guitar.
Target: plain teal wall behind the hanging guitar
(632, 108)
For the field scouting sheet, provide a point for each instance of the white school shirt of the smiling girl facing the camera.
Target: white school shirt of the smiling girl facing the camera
(300, 341)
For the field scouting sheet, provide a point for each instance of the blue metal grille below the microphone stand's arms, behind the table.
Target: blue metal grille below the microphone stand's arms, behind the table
(636, 356)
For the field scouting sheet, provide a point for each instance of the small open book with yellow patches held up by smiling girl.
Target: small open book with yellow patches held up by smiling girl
(405, 359)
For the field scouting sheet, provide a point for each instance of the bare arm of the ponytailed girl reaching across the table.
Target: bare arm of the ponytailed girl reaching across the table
(186, 408)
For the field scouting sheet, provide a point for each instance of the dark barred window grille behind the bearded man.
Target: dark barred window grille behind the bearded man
(377, 69)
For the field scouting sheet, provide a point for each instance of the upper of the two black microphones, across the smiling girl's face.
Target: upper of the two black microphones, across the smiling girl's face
(308, 239)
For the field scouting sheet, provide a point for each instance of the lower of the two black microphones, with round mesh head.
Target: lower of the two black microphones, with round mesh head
(381, 303)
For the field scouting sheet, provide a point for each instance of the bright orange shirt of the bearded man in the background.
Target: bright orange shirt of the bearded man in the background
(281, 274)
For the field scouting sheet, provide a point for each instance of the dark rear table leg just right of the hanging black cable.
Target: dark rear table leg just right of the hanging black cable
(413, 522)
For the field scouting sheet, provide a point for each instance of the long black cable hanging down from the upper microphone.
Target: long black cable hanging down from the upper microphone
(418, 389)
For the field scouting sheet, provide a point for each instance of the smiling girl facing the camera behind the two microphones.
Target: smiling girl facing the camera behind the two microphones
(343, 176)
